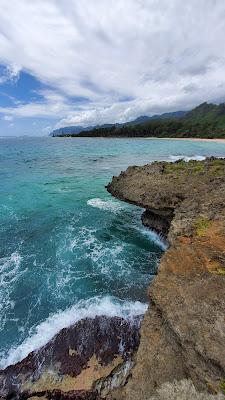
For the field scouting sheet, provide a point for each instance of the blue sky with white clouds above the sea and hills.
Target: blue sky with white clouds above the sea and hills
(86, 62)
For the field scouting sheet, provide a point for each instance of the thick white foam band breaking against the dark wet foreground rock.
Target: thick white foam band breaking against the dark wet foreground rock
(96, 306)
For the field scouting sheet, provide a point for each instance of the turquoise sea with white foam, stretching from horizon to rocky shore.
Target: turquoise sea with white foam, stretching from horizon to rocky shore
(67, 248)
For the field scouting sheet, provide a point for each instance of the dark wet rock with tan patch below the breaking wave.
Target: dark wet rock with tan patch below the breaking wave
(76, 362)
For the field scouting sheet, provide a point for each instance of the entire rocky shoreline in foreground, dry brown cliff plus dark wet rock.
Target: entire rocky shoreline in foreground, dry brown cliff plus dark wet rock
(179, 353)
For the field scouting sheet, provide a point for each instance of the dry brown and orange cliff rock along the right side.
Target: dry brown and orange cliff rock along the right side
(183, 331)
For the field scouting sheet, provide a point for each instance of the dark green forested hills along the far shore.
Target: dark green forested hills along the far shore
(205, 121)
